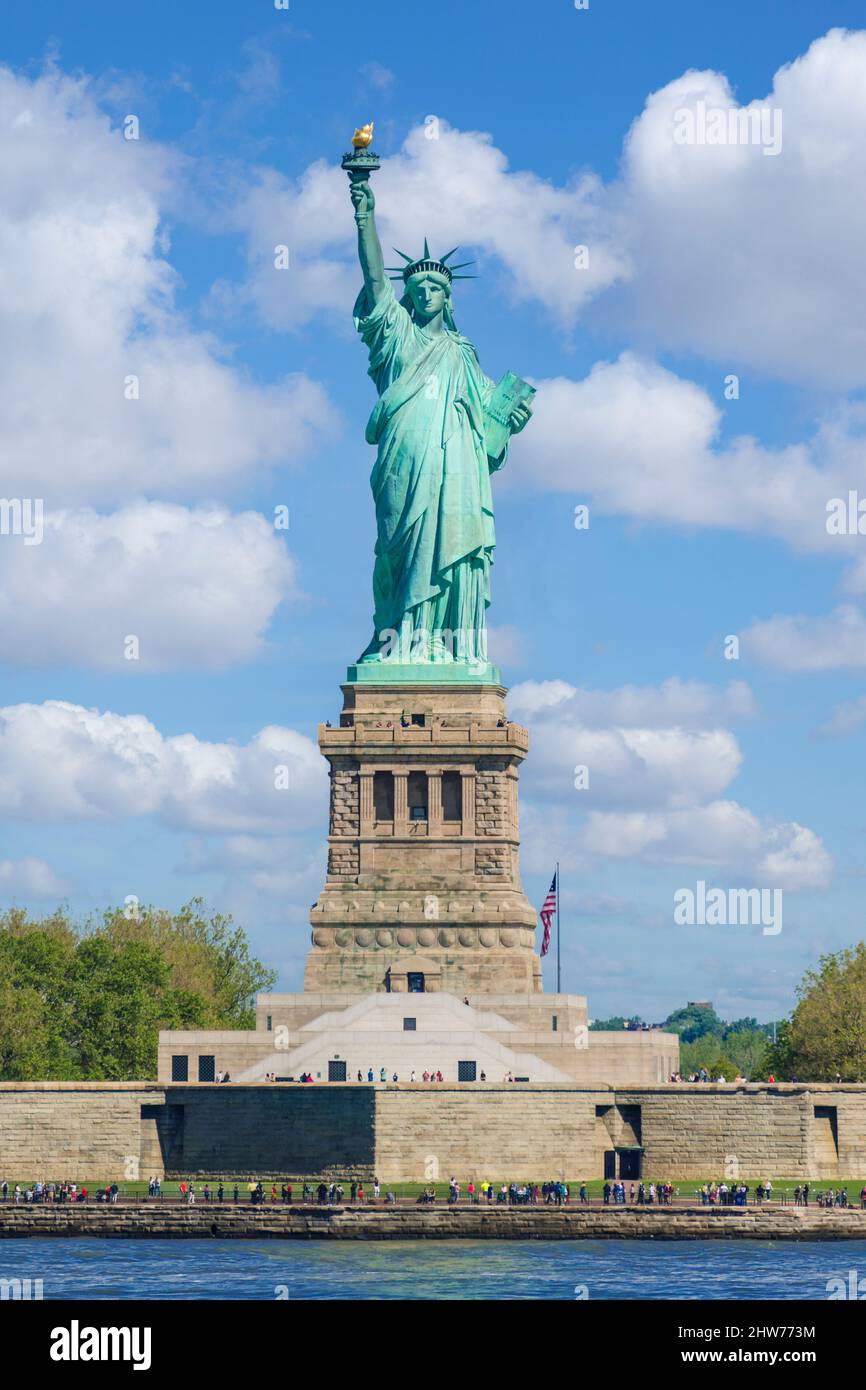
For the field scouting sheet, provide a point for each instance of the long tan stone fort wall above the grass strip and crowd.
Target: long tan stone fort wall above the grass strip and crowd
(105, 1132)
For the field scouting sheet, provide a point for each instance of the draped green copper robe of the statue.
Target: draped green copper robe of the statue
(432, 484)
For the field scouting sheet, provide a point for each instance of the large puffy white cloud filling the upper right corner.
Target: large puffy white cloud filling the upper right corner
(749, 259)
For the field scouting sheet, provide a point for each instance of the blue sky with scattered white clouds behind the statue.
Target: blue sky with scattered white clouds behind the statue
(154, 258)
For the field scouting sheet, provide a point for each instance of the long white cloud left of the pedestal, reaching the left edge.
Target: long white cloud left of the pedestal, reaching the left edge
(60, 762)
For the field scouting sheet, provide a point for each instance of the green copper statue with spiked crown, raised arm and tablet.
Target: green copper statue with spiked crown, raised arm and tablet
(432, 482)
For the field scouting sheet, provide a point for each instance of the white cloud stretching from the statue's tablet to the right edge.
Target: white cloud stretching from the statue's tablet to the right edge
(636, 440)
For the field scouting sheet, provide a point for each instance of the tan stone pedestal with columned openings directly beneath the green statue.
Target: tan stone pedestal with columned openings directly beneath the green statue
(423, 889)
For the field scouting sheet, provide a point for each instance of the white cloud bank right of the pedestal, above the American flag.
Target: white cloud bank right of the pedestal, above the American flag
(658, 765)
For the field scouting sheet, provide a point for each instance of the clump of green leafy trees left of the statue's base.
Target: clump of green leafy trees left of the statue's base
(87, 1003)
